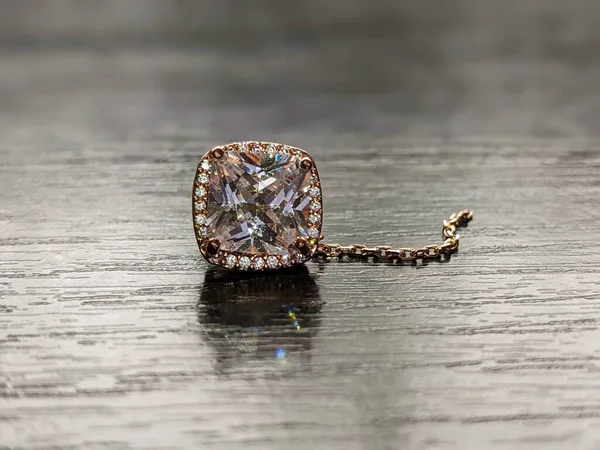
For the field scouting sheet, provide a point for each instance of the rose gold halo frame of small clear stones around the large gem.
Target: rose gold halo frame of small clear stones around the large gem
(264, 261)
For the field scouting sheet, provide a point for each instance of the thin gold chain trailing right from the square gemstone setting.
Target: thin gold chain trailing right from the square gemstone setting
(449, 246)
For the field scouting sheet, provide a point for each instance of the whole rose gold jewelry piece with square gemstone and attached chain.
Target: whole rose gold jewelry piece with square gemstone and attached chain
(259, 206)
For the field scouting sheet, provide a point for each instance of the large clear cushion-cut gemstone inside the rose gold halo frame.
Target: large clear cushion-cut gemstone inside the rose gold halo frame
(259, 201)
